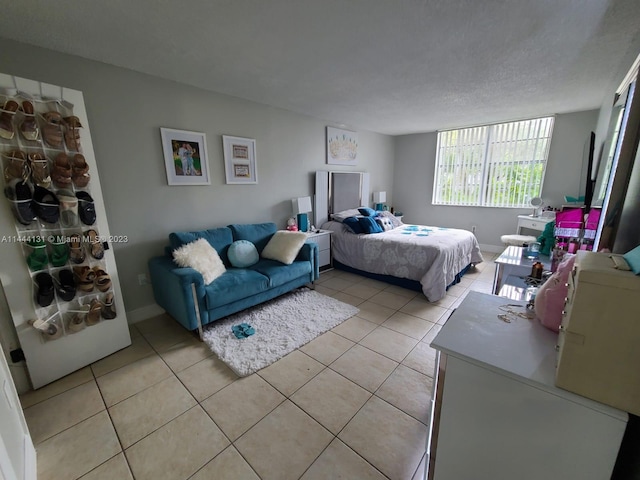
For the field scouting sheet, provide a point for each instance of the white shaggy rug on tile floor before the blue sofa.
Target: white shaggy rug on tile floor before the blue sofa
(282, 325)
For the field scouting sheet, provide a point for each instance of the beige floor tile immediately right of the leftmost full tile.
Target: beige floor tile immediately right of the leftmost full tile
(131, 379)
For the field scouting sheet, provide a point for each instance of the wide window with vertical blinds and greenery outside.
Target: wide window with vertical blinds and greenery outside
(499, 165)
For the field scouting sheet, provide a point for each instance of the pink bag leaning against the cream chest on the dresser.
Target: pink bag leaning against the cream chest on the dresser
(549, 301)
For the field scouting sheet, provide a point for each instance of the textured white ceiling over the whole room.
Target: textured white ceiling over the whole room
(389, 66)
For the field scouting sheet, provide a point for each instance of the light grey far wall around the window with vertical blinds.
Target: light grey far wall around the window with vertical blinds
(415, 167)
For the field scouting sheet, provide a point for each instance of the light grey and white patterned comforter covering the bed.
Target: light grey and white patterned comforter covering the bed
(431, 255)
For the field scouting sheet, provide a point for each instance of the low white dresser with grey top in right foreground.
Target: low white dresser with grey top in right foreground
(497, 413)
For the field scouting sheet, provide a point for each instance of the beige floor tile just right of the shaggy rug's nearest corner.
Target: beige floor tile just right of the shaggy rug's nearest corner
(291, 372)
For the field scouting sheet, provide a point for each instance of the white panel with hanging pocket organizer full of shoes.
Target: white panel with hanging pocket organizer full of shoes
(58, 271)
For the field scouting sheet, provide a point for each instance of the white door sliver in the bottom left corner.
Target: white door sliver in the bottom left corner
(17, 454)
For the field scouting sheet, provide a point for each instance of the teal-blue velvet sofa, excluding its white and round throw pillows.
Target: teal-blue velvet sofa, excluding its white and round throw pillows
(183, 294)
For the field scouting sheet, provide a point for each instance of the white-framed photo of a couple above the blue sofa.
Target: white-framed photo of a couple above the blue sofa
(185, 157)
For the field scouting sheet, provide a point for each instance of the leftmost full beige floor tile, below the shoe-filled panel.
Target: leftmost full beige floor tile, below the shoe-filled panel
(50, 417)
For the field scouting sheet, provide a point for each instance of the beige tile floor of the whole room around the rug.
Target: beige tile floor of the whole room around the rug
(353, 403)
